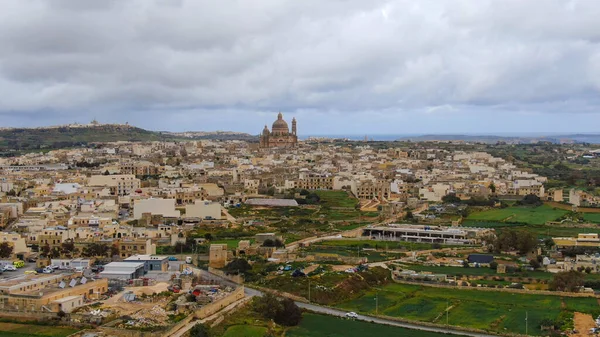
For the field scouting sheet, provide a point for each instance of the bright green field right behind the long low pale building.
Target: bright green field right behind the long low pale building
(518, 214)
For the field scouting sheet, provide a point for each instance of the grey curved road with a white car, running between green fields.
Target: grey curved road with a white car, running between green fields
(340, 313)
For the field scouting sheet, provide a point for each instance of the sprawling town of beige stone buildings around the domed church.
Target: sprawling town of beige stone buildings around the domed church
(166, 238)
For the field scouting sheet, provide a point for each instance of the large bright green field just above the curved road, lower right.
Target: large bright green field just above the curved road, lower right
(485, 310)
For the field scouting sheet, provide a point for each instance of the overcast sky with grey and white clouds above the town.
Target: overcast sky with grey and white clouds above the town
(339, 67)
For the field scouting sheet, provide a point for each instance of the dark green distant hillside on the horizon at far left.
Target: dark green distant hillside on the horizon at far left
(15, 140)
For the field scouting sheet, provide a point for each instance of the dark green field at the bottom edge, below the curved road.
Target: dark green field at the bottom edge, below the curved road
(330, 326)
